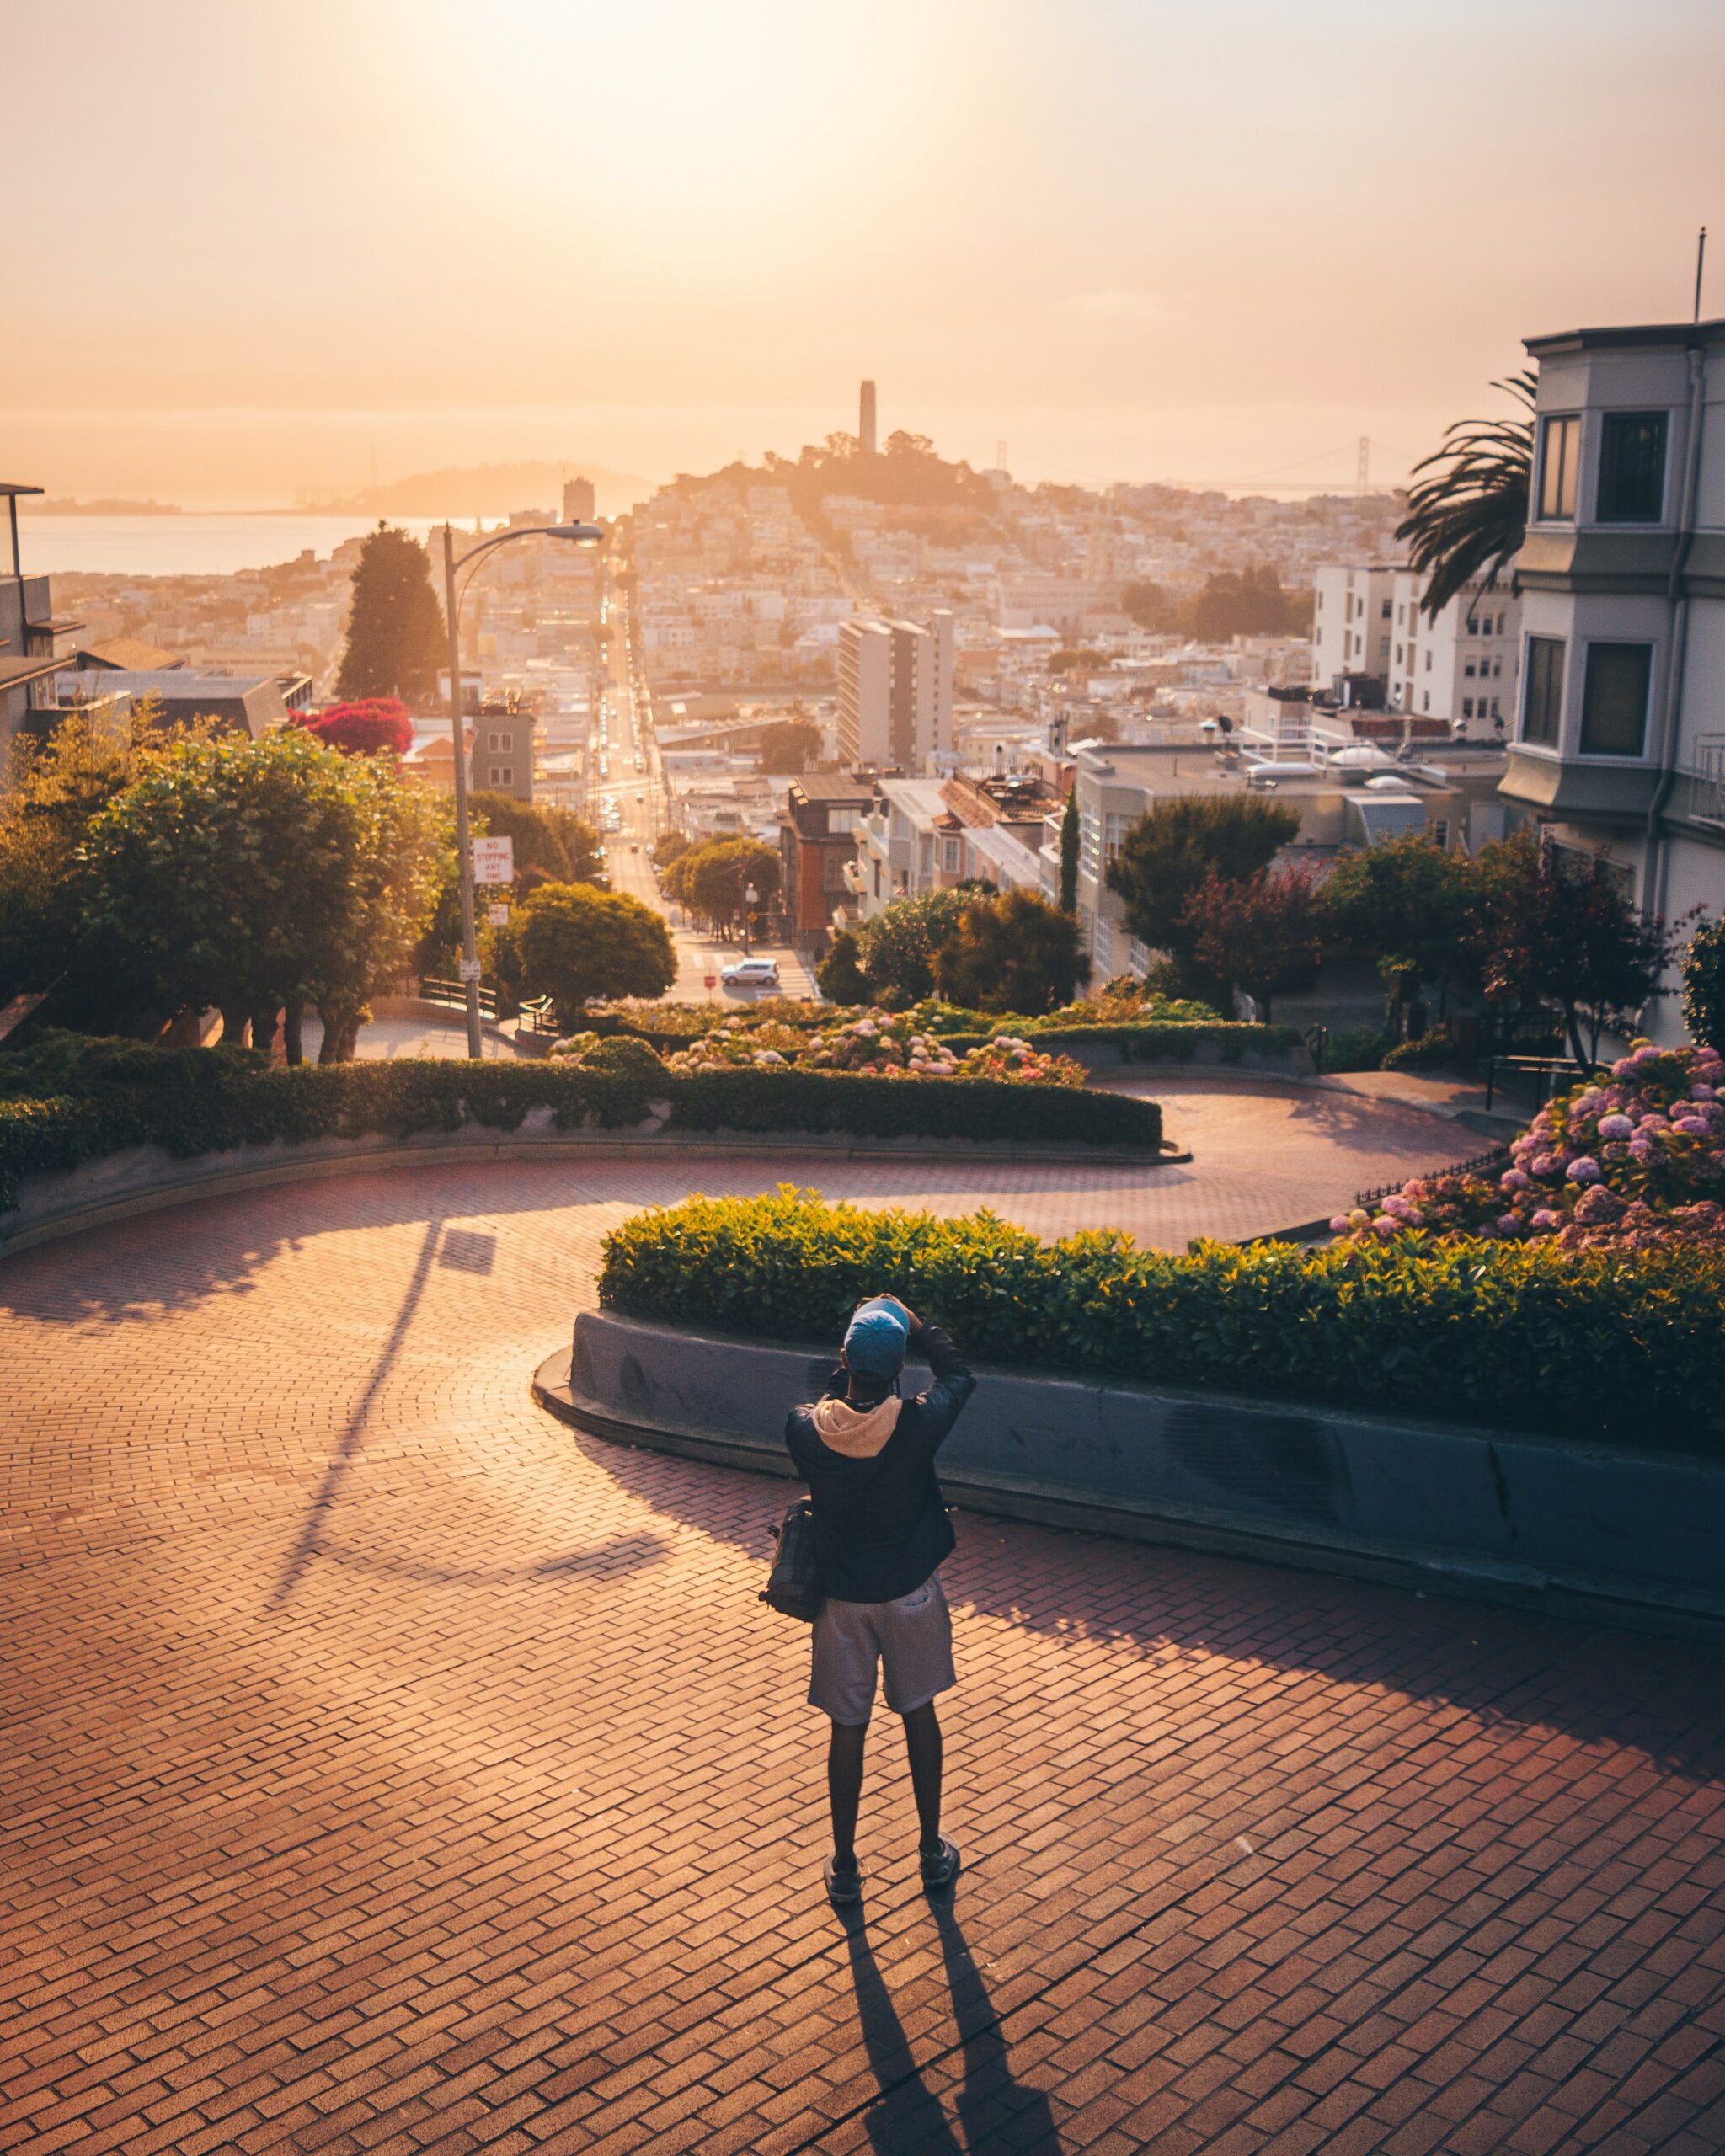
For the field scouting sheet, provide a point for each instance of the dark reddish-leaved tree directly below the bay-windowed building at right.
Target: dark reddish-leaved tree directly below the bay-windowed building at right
(1564, 932)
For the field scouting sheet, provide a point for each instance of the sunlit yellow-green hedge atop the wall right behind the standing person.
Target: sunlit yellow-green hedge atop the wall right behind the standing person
(1510, 1336)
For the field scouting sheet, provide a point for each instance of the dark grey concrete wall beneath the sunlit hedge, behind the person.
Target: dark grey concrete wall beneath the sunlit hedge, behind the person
(1476, 1515)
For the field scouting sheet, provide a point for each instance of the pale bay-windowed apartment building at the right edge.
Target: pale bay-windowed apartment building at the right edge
(1620, 738)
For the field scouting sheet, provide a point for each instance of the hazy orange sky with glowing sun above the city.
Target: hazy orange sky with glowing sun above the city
(251, 243)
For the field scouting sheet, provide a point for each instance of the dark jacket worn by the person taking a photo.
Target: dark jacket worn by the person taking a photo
(881, 1523)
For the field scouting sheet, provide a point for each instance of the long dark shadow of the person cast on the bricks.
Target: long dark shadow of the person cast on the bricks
(909, 2120)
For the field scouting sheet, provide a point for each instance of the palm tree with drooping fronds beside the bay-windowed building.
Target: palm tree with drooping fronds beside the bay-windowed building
(1469, 514)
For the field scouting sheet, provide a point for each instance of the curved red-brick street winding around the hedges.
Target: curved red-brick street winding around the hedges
(387, 1769)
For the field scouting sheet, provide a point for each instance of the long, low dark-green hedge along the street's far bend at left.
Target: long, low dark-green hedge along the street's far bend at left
(202, 1103)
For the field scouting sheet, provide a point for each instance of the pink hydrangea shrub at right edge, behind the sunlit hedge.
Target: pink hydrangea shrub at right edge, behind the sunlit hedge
(1623, 1163)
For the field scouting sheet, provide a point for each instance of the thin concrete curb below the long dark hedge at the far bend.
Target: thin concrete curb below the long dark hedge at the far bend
(148, 1180)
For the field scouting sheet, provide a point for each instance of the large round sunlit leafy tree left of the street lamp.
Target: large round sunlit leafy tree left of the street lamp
(262, 876)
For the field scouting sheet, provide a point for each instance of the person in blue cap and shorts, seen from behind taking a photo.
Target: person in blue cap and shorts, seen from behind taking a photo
(881, 1538)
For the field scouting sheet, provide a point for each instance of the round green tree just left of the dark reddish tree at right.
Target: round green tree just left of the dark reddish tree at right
(1407, 907)
